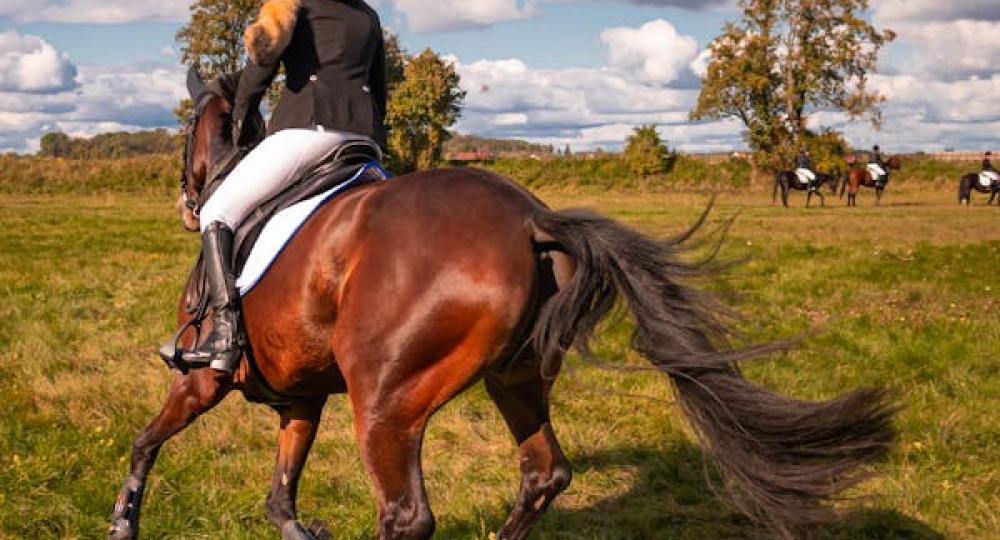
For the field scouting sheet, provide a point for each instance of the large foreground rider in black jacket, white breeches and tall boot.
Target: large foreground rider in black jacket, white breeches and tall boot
(334, 91)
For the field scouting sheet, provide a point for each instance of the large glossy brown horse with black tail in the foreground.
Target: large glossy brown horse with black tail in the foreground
(404, 293)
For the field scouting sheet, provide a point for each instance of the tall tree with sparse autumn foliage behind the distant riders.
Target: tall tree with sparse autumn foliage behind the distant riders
(788, 58)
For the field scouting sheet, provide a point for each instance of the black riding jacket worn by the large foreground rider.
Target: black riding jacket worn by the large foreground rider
(335, 72)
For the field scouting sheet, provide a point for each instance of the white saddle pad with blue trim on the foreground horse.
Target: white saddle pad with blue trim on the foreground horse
(285, 225)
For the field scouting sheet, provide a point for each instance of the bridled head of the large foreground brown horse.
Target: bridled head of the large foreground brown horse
(208, 144)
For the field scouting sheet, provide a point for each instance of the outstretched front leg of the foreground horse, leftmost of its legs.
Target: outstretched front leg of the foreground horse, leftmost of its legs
(190, 396)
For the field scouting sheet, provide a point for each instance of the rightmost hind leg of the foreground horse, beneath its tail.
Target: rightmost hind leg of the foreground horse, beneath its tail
(523, 398)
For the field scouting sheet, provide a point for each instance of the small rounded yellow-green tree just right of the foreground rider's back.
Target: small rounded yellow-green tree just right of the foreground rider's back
(421, 109)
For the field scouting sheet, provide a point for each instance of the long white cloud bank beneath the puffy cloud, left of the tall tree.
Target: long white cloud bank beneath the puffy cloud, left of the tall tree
(583, 107)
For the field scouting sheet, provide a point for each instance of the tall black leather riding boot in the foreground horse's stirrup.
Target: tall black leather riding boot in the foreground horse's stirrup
(223, 348)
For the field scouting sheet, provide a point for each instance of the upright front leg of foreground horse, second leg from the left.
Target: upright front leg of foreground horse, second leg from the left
(299, 423)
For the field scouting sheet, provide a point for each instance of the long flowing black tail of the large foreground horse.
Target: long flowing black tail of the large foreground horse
(781, 459)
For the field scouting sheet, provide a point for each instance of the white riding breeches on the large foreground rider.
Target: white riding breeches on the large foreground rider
(266, 171)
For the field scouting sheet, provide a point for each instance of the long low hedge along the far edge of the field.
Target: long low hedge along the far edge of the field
(158, 174)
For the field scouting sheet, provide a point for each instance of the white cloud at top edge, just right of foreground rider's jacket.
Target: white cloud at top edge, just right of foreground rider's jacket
(424, 16)
